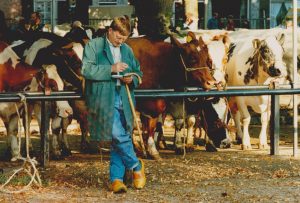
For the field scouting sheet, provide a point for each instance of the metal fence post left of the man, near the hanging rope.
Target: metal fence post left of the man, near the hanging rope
(44, 134)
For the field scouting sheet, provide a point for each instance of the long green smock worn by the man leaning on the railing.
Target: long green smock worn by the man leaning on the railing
(100, 87)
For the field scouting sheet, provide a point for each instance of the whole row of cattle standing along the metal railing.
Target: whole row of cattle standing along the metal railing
(206, 59)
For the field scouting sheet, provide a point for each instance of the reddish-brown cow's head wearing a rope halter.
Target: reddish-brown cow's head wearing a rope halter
(195, 60)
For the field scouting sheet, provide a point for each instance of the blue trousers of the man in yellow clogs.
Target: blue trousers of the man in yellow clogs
(122, 154)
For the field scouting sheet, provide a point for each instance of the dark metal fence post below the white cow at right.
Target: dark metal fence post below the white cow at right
(274, 124)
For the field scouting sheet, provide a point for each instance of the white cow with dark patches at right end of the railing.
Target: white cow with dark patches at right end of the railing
(255, 61)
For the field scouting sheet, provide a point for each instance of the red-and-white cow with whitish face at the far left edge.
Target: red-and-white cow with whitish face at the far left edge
(15, 76)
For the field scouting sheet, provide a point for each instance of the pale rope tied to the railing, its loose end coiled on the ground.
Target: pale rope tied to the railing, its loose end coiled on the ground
(29, 163)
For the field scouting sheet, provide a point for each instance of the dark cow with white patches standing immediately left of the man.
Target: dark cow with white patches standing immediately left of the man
(66, 55)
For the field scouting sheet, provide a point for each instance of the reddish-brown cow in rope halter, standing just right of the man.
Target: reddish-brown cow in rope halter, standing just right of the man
(166, 65)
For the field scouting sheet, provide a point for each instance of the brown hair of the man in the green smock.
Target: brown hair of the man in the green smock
(121, 24)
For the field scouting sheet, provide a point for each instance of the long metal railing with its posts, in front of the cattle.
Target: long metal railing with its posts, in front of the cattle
(168, 93)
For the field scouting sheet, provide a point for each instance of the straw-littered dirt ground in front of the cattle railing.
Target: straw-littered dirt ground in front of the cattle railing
(229, 175)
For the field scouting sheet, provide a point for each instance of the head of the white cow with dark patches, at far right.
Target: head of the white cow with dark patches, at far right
(269, 53)
